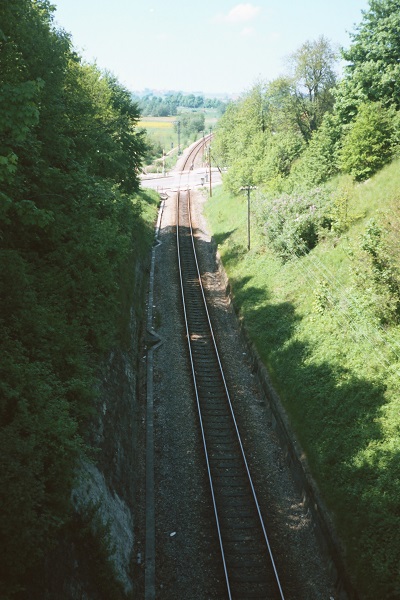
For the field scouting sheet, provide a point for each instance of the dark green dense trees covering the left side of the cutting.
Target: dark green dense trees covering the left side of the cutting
(70, 223)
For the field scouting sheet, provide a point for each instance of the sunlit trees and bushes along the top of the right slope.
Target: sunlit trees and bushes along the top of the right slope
(300, 129)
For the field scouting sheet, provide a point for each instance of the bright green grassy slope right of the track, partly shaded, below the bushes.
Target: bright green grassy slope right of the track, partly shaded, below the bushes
(336, 370)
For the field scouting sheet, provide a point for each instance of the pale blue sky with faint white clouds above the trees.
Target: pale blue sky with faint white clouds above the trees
(209, 46)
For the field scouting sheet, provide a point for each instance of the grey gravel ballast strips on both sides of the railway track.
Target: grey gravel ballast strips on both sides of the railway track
(187, 564)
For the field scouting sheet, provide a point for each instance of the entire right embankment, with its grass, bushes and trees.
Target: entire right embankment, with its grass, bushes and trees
(320, 290)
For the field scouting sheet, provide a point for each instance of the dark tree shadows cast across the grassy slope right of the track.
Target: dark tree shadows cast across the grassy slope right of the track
(335, 414)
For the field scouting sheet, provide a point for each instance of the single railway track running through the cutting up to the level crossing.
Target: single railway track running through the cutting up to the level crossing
(248, 563)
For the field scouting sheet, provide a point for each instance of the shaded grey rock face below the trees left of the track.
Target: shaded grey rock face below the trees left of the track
(104, 496)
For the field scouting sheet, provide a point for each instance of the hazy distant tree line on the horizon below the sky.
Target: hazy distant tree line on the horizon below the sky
(167, 106)
